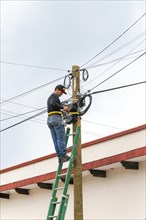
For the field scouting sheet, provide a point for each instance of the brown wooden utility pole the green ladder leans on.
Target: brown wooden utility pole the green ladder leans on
(78, 196)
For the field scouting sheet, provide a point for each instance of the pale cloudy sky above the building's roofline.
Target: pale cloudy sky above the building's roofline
(41, 41)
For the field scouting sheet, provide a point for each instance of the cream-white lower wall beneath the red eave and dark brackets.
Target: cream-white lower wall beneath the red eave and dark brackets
(119, 196)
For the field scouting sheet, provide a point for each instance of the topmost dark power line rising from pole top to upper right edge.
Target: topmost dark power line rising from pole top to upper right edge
(114, 40)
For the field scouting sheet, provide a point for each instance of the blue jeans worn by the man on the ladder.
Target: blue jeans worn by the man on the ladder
(58, 134)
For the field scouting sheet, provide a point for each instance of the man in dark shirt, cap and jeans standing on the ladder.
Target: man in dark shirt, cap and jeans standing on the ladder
(55, 123)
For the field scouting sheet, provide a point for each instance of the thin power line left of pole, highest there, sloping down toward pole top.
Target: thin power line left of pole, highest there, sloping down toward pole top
(27, 65)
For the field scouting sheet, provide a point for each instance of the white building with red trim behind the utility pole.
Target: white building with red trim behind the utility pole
(114, 181)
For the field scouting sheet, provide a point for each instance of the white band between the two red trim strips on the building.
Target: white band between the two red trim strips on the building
(97, 151)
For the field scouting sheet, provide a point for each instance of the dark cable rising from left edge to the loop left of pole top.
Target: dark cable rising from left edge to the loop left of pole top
(32, 90)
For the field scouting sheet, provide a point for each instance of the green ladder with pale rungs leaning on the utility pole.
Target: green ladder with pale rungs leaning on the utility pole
(65, 197)
